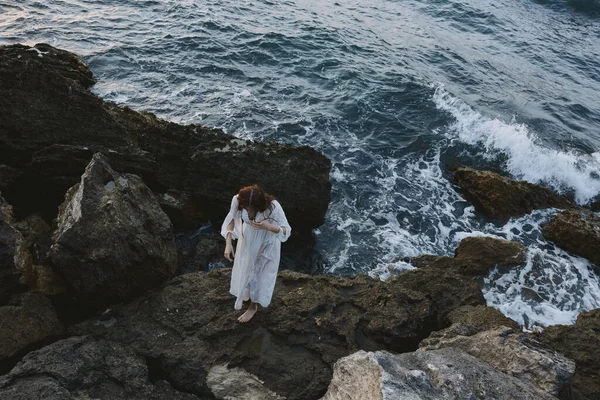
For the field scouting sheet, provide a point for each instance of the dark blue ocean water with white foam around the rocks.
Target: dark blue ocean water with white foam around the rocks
(393, 92)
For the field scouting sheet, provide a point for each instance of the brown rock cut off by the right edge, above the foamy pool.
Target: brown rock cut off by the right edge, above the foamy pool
(577, 231)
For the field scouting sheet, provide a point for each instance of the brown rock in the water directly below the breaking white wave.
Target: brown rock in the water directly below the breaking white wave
(501, 198)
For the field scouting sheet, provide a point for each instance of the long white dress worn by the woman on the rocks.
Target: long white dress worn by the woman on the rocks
(257, 253)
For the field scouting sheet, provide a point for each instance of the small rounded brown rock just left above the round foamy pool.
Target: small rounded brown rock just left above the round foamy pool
(476, 255)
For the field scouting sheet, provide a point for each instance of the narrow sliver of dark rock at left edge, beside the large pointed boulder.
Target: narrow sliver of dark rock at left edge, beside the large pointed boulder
(12, 252)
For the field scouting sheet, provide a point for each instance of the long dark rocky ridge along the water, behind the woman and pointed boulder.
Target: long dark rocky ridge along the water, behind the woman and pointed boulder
(52, 124)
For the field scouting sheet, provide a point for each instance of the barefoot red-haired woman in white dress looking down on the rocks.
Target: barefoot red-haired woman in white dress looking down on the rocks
(259, 224)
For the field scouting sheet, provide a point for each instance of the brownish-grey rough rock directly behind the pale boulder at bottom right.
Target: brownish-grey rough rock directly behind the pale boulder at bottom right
(513, 354)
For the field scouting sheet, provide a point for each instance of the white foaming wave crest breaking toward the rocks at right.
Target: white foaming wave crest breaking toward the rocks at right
(527, 158)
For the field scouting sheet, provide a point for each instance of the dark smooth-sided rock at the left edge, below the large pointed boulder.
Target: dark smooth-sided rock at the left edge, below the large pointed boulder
(28, 319)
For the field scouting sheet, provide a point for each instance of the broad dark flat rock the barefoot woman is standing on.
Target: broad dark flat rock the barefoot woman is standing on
(189, 326)
